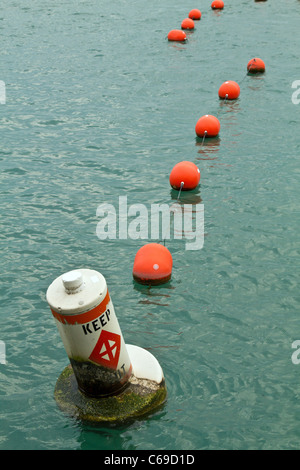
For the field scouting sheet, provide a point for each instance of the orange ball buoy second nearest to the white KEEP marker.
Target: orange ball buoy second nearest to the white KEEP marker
(187, 173)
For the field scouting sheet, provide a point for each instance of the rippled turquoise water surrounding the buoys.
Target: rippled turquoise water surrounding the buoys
(100, 105)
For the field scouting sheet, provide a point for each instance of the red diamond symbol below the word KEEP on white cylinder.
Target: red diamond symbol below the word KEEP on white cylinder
(107, 350)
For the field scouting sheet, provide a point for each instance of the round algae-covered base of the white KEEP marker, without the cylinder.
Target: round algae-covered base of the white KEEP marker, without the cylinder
(144, 393)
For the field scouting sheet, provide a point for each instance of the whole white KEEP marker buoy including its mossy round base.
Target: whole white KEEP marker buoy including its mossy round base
(106, 381)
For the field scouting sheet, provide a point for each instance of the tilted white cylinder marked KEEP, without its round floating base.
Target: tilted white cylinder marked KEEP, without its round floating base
(86, 319)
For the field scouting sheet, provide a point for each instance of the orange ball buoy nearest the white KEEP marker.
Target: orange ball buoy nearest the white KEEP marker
(152, 264)
